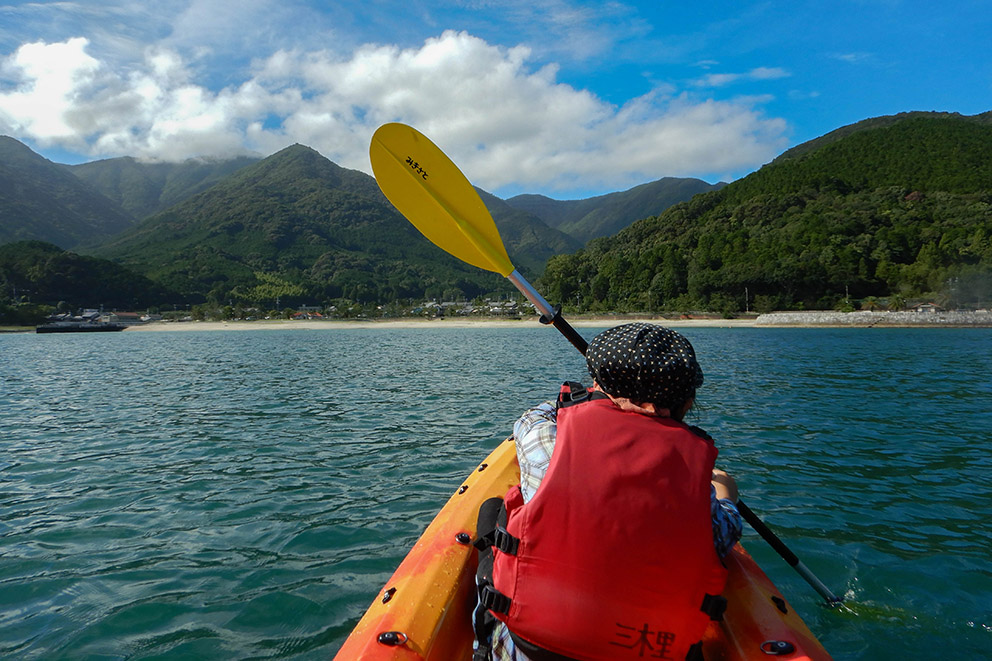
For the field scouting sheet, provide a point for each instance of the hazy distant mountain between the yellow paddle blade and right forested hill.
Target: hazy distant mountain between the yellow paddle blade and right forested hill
(608, 214)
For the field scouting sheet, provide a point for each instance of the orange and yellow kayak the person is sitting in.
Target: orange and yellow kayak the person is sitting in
(424, 610)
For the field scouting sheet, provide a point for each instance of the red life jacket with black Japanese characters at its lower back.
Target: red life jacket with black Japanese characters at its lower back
(614, 553)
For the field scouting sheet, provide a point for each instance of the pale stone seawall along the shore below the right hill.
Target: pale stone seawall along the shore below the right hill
(867, 319)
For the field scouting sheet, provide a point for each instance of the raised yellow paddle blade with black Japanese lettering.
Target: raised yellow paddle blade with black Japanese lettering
(433, 194)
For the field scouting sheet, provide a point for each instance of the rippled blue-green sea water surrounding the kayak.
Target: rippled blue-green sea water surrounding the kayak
(245, 494)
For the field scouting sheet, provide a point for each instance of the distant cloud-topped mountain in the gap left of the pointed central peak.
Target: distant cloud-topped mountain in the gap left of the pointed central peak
(144, 189)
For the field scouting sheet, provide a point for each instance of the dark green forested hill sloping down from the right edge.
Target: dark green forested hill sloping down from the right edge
(900, 206)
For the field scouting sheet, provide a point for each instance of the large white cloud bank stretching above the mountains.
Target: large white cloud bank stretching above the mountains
(503, 121)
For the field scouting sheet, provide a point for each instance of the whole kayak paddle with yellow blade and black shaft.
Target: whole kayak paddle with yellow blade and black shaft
(433, 194)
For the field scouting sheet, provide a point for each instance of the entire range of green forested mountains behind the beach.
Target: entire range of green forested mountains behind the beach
(885, 210)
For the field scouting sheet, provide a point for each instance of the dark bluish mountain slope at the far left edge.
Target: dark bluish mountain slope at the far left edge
(40, 200)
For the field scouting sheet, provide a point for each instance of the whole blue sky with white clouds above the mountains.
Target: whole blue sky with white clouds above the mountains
(562, 97)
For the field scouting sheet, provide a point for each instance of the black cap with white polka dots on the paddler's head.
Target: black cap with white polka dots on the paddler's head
(645, 363)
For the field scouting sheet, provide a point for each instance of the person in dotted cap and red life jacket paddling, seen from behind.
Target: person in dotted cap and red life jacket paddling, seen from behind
(611, 545)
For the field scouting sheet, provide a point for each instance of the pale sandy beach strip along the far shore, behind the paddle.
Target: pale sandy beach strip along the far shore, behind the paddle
(284, 324)
